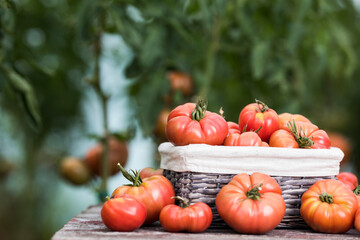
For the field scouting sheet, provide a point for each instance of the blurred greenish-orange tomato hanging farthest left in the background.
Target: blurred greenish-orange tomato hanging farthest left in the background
(75, 170)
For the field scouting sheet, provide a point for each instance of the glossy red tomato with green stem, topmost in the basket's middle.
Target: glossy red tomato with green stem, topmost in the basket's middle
(256, 115)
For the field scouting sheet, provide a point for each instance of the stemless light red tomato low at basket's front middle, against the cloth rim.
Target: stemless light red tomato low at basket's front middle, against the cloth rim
(243, 139)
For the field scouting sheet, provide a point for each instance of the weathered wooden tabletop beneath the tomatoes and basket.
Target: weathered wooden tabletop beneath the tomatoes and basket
(88, 225)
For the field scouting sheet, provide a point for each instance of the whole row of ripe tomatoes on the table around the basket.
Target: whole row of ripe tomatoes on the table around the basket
(248, 204)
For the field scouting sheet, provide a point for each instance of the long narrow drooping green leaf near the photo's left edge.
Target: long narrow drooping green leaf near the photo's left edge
(26, 94)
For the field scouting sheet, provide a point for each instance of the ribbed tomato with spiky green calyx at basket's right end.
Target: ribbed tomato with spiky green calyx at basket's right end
(300, 135)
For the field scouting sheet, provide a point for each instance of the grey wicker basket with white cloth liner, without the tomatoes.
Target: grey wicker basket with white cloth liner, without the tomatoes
(204, 182)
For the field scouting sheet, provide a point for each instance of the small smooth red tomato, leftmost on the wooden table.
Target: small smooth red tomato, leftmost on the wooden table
(123, 213)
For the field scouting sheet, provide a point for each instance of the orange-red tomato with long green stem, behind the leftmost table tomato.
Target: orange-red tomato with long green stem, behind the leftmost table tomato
(154, 192)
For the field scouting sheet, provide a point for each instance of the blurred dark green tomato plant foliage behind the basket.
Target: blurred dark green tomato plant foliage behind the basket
(297, 56)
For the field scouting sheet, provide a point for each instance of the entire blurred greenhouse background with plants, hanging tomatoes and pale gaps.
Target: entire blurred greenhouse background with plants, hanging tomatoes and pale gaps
(75, 72)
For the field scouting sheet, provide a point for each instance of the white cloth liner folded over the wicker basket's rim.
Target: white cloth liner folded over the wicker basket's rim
(273, 161)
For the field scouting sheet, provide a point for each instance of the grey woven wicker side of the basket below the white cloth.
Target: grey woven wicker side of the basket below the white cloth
(203, 187)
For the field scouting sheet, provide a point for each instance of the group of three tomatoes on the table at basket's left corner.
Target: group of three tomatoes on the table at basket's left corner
(150, 198)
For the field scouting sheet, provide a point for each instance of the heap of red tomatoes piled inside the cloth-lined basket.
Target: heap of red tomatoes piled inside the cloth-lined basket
(258, 125)
